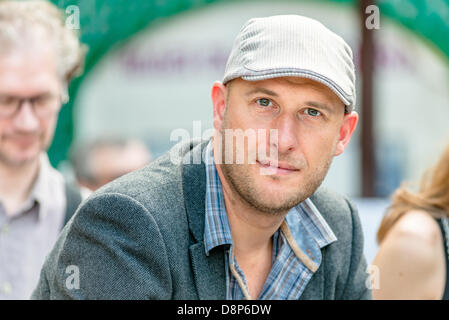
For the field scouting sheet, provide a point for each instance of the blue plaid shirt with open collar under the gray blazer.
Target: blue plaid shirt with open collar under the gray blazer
(296, 244)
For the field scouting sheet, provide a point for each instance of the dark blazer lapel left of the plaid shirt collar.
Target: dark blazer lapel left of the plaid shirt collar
(209, 271)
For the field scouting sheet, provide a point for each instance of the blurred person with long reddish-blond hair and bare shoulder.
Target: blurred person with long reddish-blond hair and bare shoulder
(414, 239)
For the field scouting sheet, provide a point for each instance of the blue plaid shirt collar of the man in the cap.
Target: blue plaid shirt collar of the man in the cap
(304, 223)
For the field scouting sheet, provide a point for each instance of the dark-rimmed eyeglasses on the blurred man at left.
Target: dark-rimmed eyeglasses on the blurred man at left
(43, 105)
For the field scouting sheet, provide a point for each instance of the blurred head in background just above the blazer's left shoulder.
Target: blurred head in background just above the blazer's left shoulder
(102, 161)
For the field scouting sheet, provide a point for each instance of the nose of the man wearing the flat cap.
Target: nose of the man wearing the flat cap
(287, 139)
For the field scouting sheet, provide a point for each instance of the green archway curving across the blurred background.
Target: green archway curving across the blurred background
(107, 23)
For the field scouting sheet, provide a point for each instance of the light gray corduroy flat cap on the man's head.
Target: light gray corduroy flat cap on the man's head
(292, 45)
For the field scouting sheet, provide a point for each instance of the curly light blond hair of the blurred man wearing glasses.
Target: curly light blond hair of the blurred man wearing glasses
(22, 23)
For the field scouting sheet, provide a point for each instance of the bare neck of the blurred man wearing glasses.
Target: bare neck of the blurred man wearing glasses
(16, 183)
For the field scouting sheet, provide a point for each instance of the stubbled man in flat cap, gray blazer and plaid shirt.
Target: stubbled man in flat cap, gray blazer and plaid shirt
(248, 220)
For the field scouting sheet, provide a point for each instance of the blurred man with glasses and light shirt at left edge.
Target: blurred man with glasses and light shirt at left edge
(38, 59)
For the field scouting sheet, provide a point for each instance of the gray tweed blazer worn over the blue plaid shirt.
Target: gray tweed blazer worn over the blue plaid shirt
(141, 237)
